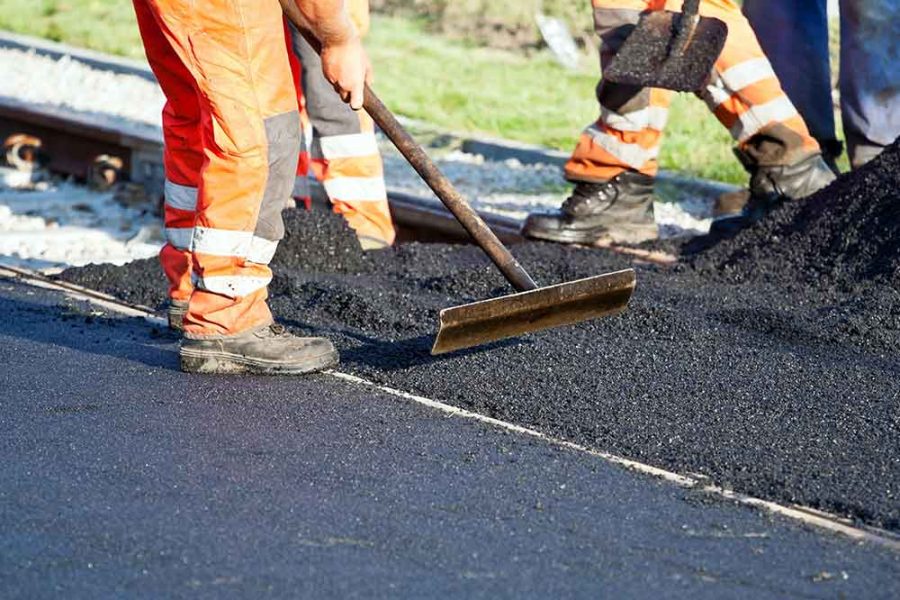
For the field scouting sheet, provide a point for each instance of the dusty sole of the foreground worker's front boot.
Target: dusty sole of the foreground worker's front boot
(225, 363)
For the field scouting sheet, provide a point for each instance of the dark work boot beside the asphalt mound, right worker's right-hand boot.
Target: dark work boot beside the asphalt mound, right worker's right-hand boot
(770, 186)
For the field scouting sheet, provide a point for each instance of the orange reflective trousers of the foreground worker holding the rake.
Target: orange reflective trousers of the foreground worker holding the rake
(232, 140)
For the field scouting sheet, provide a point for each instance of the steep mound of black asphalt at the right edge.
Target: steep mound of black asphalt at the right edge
(845, 236)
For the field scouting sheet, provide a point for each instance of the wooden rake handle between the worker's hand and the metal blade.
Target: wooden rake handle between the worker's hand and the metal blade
(444, 190)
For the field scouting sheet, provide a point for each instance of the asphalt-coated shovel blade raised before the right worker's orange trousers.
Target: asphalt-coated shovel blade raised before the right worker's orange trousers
(674, 51)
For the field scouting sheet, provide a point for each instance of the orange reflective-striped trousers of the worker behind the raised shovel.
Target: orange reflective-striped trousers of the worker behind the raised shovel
(744, 94)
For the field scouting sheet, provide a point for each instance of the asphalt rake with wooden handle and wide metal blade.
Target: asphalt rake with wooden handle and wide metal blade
(532, 308)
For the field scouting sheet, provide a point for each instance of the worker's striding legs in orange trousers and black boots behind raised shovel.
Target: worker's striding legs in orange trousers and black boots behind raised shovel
(615, 161)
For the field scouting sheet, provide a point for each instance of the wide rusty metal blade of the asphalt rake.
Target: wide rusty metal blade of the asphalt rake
(544, 308)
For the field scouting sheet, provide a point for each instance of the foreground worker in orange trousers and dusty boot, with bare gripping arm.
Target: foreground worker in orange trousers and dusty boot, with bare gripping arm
(232, 140)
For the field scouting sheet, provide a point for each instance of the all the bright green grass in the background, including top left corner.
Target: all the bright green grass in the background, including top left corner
(450, 84)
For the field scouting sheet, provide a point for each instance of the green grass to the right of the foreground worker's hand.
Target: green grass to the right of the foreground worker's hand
(526, 98)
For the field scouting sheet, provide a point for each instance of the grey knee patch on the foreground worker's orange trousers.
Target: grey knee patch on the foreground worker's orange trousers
(283, 138)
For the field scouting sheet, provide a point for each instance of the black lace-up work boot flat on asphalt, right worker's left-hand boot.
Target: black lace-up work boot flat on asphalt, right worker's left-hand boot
(619, 210)
